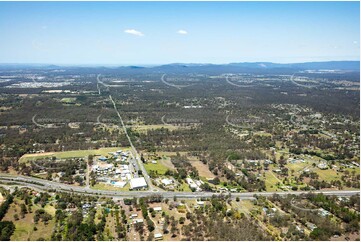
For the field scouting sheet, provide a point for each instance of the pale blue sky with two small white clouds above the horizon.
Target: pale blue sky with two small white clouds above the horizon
(121, 33)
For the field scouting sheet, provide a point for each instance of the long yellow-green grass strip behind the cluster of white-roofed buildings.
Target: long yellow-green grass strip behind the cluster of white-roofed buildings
(70, 154)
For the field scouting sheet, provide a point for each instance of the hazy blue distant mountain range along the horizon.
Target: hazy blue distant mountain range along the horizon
(231, 67)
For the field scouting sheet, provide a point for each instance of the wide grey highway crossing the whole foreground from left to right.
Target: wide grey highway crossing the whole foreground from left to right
(46, 185)
